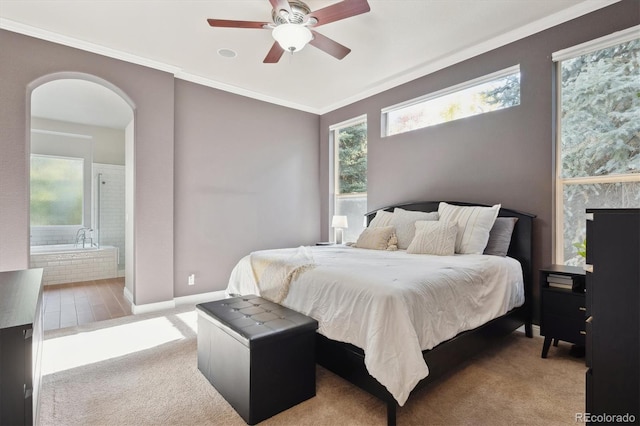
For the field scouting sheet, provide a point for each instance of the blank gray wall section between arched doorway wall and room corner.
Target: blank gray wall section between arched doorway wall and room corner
(246, 178)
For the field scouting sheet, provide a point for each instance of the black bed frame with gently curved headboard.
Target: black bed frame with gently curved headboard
(347, 360)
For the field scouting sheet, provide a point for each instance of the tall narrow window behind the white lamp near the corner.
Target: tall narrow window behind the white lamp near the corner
(349, 141)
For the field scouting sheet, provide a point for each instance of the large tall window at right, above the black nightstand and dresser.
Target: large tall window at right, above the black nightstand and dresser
(598, 148)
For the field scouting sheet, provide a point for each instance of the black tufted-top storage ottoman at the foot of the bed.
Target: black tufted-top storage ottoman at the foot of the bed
(259, 355)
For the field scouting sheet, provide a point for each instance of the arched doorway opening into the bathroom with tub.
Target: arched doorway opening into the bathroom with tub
(80, 143)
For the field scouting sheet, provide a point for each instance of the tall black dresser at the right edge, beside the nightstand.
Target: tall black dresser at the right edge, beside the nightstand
(613, 321)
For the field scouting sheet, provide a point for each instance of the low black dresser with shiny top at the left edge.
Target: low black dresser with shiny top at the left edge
(20, 346)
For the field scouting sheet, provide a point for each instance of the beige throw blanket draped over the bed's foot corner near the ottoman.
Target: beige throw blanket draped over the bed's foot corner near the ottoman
(274, 270)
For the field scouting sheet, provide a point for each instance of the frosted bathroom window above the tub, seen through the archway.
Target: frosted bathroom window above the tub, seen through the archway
(57, 188)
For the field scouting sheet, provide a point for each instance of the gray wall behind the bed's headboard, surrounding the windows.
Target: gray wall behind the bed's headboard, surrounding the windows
(500, 157)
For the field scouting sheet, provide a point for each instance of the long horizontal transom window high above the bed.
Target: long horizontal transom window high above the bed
(485, 94)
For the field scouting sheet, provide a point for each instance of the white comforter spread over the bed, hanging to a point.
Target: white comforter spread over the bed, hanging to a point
(393, 305)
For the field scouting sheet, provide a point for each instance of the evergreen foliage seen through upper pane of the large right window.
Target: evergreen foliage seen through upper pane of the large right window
(601, 112)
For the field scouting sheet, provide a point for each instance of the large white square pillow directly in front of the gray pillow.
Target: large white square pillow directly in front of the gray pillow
(474, 224)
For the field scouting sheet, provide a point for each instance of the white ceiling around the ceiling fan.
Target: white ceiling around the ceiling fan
(397, 41)
